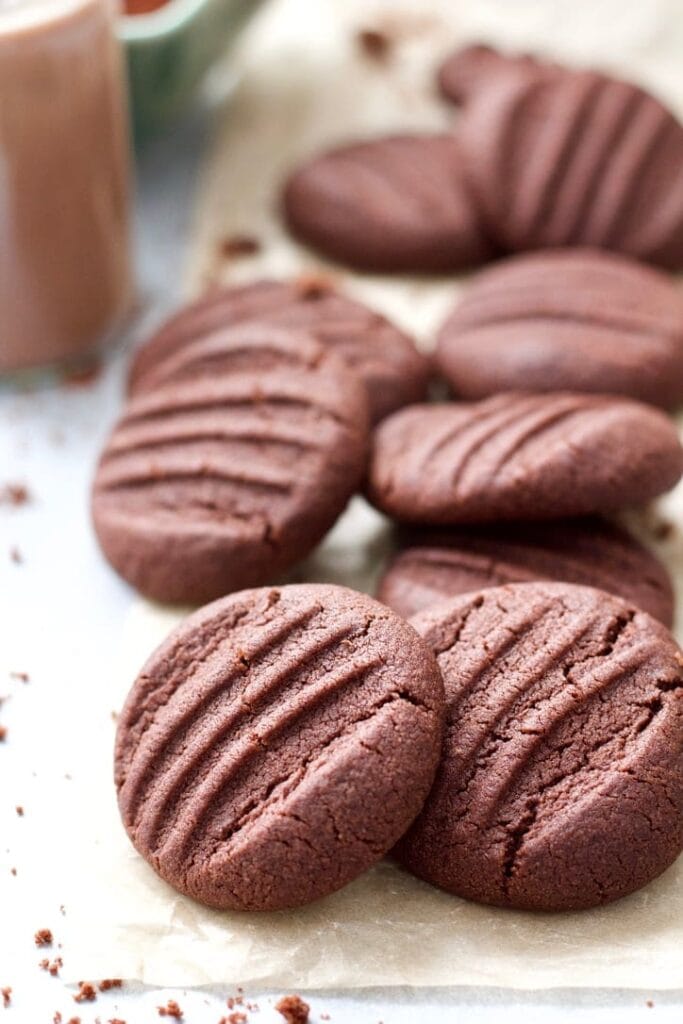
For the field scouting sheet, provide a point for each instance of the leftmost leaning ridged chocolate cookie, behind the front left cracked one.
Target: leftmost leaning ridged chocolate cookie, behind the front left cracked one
(209, 485)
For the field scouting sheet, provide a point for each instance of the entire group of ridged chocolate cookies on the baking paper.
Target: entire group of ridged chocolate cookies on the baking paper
(507, 716)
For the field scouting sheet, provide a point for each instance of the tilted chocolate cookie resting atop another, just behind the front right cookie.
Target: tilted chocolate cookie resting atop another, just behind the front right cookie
(522, 457)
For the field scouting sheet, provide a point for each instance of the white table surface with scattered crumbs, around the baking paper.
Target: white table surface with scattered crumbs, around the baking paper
(62, 612)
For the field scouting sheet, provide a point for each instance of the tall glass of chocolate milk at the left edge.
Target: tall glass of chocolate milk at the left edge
(64, 180)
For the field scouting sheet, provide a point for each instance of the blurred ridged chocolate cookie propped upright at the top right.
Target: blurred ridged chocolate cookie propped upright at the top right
(558, 157)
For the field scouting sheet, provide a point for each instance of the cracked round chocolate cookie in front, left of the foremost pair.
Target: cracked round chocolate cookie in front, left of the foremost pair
(277, 745)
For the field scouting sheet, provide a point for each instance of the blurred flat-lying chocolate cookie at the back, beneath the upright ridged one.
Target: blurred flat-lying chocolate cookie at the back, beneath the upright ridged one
(396, 204)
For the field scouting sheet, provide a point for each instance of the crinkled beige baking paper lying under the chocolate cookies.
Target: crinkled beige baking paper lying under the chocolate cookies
(307, 83)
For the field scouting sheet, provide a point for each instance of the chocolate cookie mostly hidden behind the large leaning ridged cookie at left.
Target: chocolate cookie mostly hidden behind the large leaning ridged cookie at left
(395, 373)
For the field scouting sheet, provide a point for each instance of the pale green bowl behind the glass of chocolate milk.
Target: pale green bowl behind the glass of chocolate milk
(170, 51)
